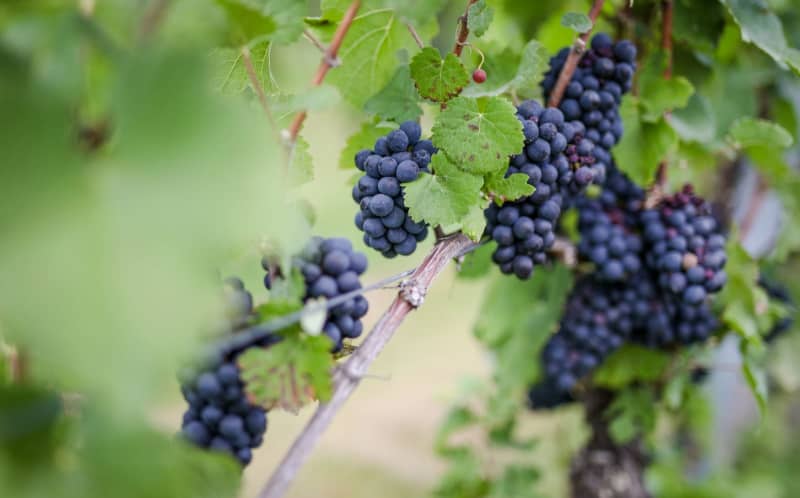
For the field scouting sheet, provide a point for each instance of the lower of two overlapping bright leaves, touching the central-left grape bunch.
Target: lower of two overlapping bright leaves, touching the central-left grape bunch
(445, 197)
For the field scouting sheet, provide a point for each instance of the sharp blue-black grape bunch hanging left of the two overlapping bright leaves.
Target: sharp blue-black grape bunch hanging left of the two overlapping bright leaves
(395, 159)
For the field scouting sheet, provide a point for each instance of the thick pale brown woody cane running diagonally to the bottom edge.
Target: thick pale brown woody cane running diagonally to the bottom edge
(347, 378)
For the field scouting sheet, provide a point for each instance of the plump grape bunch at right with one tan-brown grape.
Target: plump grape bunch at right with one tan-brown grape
(684, 248)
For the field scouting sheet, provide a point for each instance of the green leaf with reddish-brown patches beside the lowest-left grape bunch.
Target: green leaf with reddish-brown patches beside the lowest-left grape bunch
(290, 373)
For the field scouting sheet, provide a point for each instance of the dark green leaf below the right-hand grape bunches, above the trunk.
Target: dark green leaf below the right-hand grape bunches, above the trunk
(629, 364)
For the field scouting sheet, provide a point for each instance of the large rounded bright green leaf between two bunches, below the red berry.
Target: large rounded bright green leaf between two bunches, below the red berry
(478, 135)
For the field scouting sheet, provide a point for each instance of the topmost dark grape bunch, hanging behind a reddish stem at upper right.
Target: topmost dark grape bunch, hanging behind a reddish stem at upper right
(593, 95)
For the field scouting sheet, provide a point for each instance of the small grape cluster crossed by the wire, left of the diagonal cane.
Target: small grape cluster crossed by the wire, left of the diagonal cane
(330, 268)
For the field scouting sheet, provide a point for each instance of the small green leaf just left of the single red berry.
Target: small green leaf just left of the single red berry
(438, 79)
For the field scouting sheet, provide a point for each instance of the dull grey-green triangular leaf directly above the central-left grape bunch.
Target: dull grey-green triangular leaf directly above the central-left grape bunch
(398, 101)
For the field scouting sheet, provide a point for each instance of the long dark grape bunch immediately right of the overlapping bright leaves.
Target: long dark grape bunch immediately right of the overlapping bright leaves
(555, 158)
